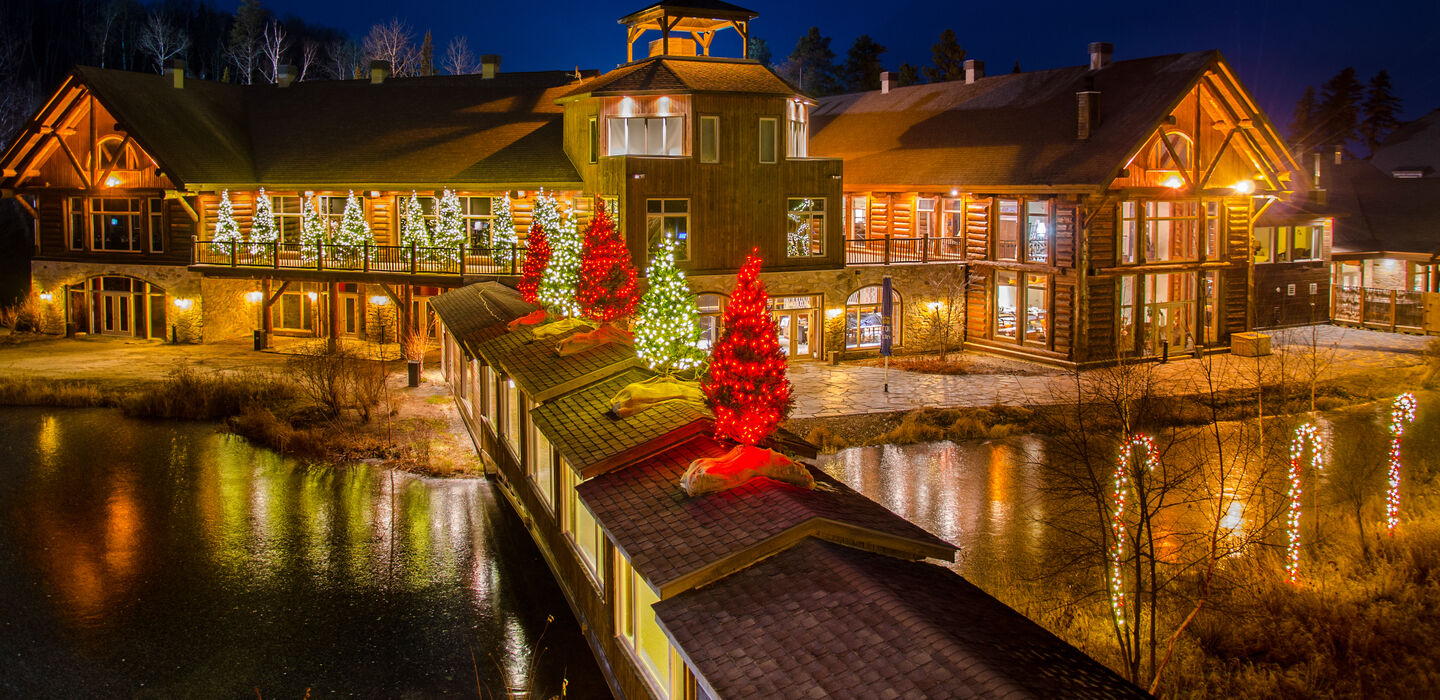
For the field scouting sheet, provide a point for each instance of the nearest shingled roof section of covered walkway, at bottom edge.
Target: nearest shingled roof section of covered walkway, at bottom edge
(820, 620)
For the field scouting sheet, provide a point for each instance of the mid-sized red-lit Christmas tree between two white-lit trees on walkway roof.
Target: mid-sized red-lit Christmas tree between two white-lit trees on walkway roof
(607, 289)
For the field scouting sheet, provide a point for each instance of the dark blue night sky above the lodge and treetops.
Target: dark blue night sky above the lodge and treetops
(1277, 48)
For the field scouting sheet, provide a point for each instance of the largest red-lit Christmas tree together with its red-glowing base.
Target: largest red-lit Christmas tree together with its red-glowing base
(750, 394)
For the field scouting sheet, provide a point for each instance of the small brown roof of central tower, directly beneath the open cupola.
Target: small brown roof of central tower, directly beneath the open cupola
(688, 74)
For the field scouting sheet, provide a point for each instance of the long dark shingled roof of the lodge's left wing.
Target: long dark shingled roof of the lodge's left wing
(460, 130)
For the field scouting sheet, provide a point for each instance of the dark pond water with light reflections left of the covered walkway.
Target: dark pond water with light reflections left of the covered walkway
(171, 561)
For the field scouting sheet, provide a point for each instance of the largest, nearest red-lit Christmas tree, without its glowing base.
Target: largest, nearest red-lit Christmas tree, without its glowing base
(747, 387)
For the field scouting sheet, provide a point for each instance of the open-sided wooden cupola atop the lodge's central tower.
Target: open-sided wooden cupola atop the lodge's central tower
(686, 28)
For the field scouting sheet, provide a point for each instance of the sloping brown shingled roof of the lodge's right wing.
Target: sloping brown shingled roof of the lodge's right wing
(1004, 130)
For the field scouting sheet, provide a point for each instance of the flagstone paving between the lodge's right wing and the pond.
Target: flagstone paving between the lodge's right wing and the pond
(849, 390)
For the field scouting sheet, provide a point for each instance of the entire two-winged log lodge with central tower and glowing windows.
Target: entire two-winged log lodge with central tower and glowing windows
(1071, 217)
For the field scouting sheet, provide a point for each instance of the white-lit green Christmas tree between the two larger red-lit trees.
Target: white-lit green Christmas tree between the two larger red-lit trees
(667, 329)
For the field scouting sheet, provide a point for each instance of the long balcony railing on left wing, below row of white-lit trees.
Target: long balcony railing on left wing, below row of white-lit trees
(362, 259)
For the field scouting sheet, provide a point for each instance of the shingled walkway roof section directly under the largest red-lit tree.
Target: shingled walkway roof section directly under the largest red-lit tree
(678, 542)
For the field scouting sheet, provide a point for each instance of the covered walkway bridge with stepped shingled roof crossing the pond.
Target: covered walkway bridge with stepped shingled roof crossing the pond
(762, 591)
